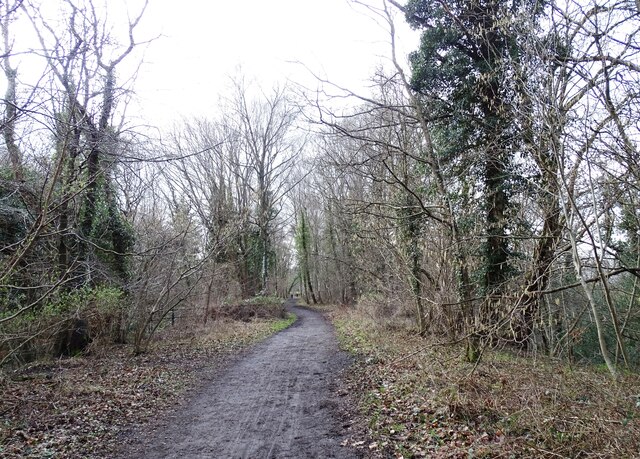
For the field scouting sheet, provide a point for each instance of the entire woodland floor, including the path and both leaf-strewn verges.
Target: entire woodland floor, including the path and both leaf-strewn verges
(290, 397)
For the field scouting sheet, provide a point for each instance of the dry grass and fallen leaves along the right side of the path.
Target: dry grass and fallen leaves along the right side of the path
(422, 400)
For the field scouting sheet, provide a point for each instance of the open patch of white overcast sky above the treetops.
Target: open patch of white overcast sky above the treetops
(203, 42)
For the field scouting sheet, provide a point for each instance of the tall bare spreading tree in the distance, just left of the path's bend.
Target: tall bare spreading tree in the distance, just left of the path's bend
(264, 125)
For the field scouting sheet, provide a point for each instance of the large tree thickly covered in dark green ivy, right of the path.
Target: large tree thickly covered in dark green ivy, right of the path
(464, 71)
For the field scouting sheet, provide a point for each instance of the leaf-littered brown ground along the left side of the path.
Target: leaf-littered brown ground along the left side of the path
(83, 407)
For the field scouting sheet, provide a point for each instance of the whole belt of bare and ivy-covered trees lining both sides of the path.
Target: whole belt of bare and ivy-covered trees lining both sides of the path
(485, 194)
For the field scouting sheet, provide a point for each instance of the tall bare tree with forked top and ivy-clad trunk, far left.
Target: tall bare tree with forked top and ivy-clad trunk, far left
(84, 66)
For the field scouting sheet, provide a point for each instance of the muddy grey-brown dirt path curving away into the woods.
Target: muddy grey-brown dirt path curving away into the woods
(278, 401)
